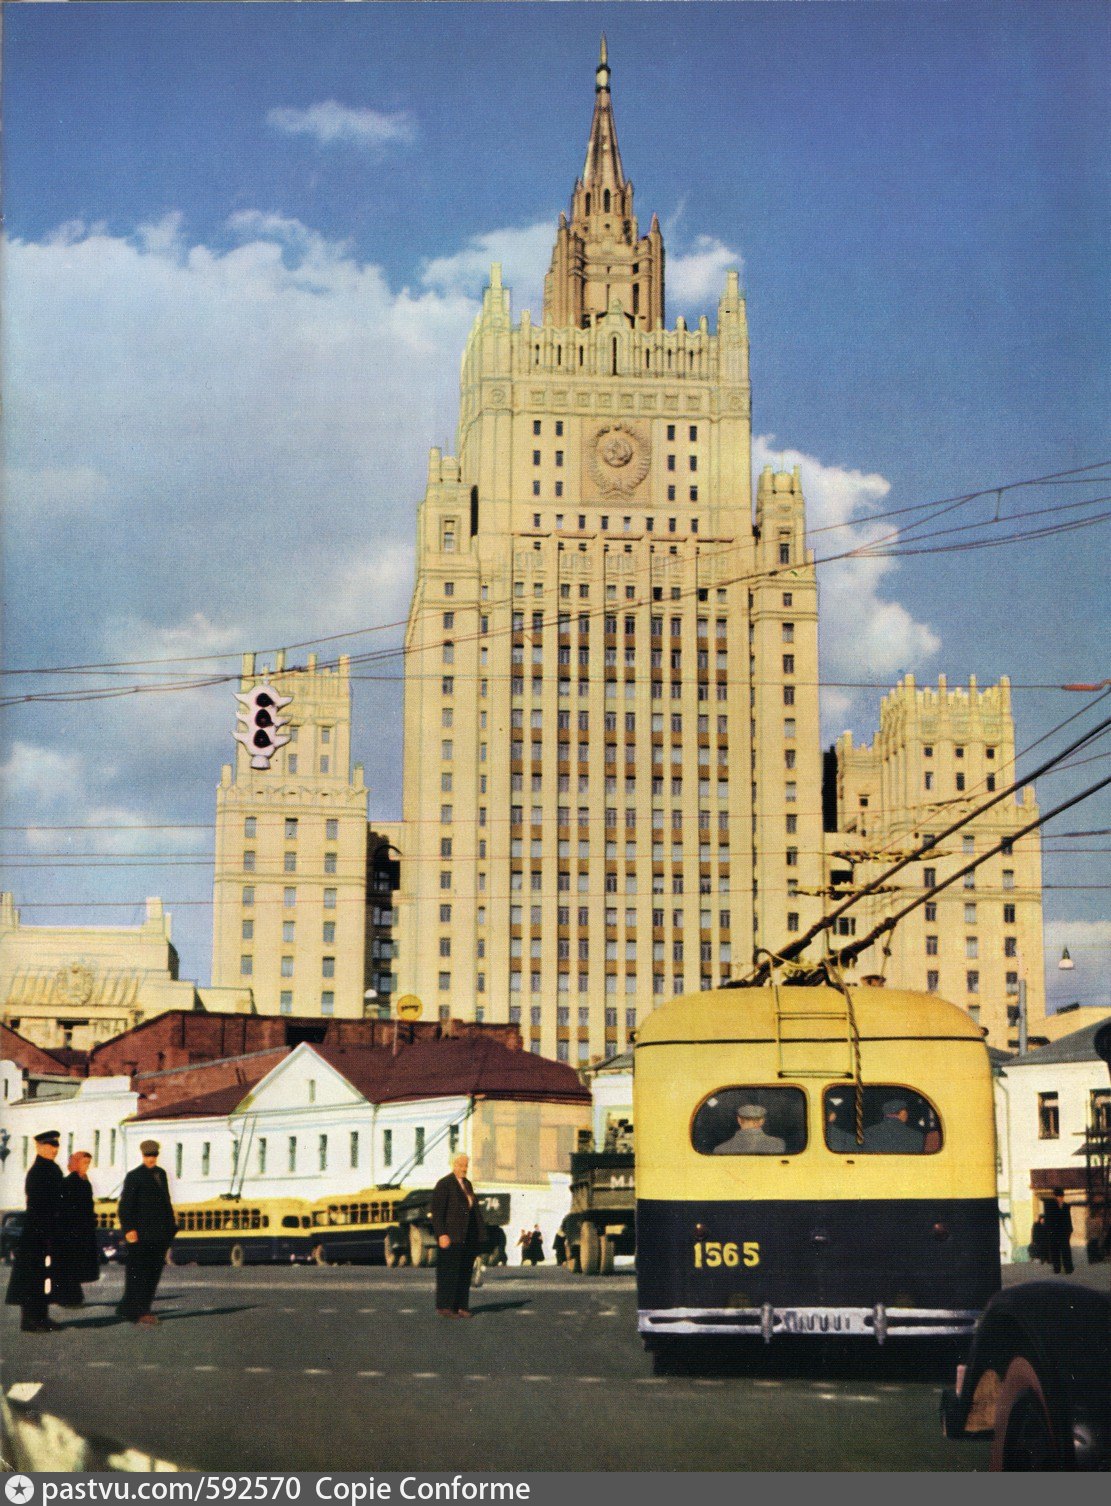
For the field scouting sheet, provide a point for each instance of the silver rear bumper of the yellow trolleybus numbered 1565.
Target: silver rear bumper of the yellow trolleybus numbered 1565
(769, 1323)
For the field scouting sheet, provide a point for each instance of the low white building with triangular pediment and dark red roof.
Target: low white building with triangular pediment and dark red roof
(327, 1123)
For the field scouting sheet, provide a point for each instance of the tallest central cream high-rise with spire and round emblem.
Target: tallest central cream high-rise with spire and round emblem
(612, 743)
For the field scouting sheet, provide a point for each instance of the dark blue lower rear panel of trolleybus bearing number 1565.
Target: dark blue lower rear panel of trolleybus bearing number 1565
(907, 1254)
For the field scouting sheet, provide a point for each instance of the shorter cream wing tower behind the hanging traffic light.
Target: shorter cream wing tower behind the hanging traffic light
(290, 915)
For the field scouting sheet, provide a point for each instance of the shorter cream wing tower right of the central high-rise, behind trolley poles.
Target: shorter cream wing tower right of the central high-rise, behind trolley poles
(937, 755)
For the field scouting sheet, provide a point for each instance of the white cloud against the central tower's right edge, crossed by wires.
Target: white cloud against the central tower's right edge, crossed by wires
(865, 633)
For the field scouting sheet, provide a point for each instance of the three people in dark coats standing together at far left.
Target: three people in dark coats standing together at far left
(59, 1254)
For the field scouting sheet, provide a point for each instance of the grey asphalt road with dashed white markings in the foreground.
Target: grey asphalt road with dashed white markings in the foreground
(350, 1370)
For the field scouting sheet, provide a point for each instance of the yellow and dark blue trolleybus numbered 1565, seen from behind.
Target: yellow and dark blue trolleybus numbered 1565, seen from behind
(814, 1160)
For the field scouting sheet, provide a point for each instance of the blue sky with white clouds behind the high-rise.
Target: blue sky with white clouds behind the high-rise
(245, 251)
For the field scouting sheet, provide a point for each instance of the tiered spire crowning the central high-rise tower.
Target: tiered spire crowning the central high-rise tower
(601, 263)
